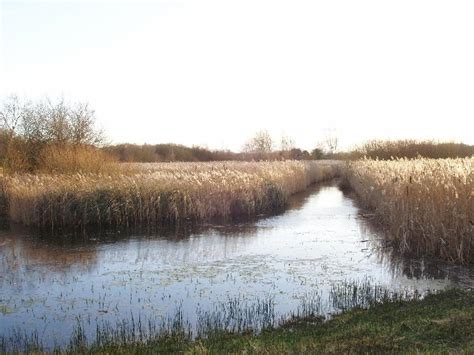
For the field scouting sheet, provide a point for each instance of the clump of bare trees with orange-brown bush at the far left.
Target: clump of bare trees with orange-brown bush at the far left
(59, 135)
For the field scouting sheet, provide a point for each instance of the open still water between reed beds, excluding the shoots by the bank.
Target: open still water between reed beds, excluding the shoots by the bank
(46, 285)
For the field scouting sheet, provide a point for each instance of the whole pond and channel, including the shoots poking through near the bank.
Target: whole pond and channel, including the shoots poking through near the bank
(317, 258)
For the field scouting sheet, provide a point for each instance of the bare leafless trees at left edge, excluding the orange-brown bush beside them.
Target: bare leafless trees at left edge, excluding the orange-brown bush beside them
(30, 127)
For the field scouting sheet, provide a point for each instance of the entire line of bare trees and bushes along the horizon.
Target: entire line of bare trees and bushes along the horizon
(57, 136)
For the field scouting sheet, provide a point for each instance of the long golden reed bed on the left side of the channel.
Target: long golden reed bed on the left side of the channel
(148, 195)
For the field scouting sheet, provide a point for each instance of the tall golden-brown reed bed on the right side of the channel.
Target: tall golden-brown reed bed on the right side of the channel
(427, 205)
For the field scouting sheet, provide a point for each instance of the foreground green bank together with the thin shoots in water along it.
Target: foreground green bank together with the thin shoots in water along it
(235, 323)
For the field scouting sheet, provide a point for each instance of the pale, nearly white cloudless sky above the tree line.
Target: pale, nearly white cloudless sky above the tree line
(213, 72)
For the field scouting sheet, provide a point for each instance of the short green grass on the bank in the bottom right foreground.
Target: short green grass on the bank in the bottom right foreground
(439, 323)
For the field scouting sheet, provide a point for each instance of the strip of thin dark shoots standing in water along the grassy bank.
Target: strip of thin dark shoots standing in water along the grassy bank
(232, 317)
